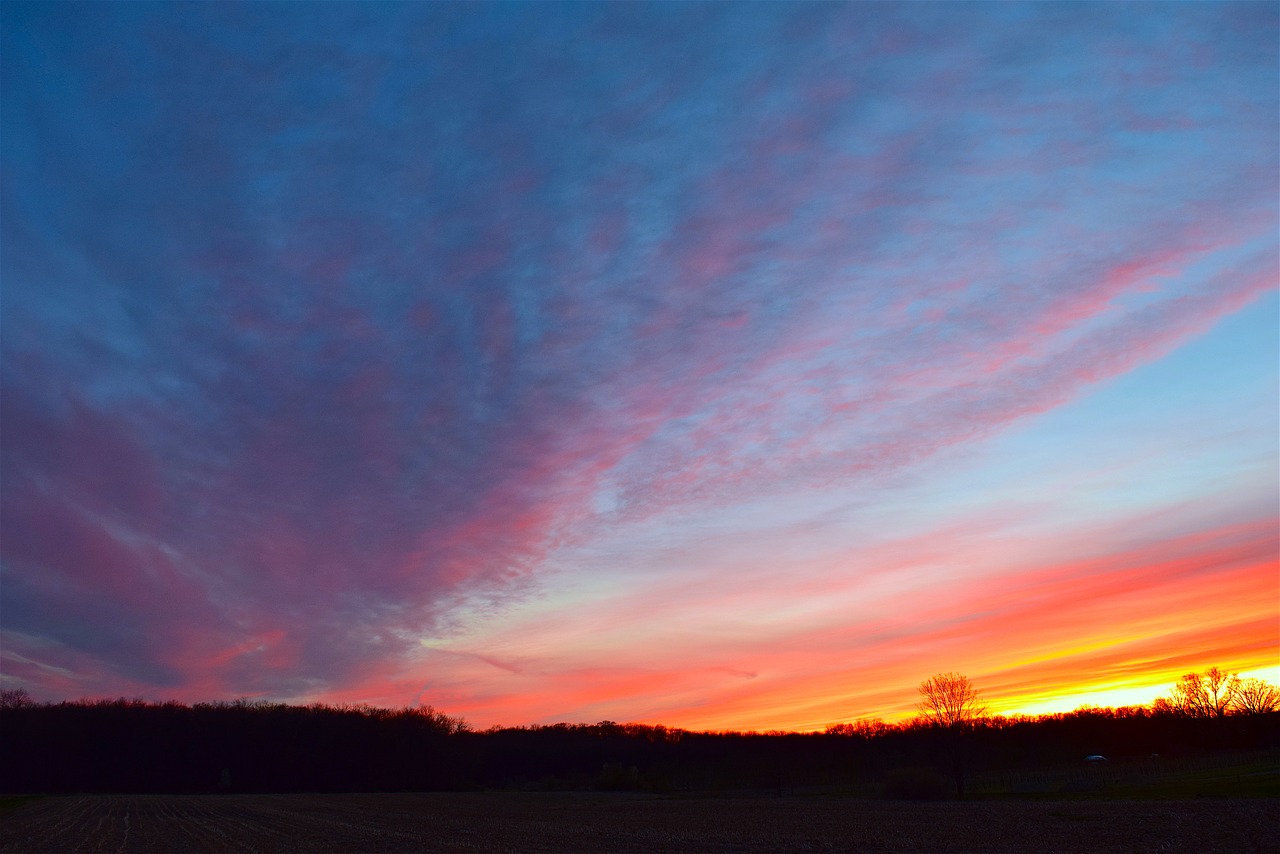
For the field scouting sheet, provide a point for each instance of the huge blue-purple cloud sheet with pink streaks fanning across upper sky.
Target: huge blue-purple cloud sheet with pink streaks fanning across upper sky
(326, 337)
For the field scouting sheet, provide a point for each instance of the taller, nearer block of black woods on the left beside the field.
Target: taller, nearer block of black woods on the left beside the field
(131, 746)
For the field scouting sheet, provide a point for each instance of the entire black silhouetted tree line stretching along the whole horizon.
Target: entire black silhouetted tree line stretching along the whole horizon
(253, 747)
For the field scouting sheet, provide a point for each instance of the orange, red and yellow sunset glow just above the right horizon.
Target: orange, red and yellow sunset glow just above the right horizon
(1108, 631)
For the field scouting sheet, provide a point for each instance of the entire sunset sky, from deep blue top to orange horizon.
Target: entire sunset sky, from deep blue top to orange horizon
(712, 366)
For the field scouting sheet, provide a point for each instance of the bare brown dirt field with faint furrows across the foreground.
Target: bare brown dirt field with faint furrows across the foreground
(601, 823)
